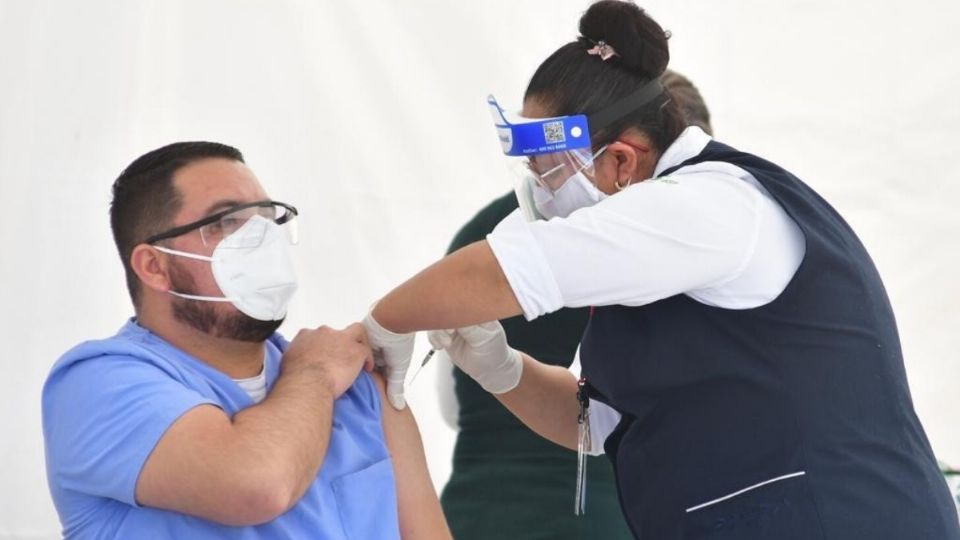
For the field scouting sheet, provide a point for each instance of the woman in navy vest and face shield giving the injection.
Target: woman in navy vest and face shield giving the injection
(739, 328)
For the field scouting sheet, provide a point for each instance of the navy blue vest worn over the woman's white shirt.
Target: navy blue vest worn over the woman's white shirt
(788, 421)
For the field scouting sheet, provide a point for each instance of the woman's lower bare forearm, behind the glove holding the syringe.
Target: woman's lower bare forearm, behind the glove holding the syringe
(546, 401)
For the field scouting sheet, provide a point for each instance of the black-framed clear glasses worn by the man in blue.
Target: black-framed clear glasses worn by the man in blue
(216, 227)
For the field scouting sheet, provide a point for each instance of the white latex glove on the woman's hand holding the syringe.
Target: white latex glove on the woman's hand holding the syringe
(482, 352)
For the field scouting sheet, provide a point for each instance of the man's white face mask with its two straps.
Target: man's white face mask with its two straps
(256, 277)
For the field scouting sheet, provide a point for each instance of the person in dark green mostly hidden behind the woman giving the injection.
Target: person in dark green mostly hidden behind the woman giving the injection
(507, 481)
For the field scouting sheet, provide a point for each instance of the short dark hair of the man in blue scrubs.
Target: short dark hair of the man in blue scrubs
(145, 199)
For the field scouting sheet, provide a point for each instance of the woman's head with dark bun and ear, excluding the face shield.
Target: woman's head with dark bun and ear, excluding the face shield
(619, 51)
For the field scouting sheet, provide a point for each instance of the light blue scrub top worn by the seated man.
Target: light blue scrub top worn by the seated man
(107, 403)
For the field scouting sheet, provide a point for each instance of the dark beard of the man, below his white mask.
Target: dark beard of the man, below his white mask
(202, 316)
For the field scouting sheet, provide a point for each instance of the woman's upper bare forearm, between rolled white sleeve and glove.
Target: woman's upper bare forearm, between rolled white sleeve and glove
(467, 287)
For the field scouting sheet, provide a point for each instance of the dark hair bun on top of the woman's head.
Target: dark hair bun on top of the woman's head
(639, 42)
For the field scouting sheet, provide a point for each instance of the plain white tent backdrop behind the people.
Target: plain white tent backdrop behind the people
(370, 117)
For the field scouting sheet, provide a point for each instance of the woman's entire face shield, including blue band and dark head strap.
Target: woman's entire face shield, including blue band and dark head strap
(550, 151)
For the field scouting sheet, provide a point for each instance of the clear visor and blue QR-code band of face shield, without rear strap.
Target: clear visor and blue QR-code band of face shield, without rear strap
(544, 154)
